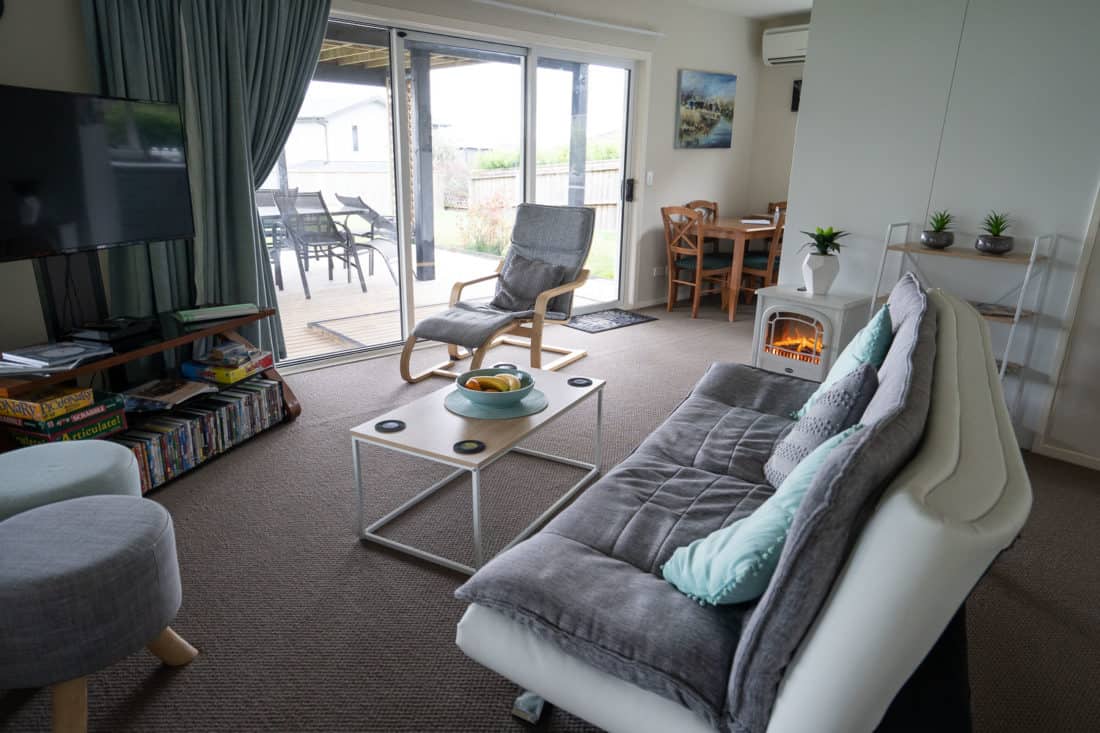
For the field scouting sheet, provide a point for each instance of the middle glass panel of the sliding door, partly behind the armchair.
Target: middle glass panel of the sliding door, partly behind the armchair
(466, 173)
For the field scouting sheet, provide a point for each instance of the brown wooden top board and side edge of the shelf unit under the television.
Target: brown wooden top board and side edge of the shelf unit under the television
(12, 387)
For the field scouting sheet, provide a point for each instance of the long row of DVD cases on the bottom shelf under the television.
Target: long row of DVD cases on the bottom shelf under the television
(170, 443)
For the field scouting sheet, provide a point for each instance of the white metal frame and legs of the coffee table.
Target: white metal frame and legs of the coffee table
(370, 533)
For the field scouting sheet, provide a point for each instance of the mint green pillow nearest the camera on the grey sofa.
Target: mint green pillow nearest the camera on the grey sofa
(735, 564)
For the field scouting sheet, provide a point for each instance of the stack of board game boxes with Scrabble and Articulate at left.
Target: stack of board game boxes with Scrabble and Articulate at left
(54, 414)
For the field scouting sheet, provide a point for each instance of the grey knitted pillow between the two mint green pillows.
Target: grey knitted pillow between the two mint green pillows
(837, 410)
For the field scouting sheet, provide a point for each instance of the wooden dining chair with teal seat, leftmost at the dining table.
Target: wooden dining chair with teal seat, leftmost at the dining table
(689, 266)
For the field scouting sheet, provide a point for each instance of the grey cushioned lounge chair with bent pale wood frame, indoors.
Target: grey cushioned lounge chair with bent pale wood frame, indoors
(535, 286)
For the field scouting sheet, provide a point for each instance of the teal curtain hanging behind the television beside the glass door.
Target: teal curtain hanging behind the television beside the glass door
(239, 70)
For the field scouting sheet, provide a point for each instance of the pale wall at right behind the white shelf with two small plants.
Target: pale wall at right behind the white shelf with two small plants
(892, 128)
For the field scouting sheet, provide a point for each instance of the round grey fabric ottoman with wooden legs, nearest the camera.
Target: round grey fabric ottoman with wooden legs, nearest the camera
(84, 584)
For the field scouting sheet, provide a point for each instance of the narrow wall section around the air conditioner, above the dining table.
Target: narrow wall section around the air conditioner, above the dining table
(774, 132)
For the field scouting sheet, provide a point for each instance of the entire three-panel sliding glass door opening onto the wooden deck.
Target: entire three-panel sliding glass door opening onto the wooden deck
(388, 194)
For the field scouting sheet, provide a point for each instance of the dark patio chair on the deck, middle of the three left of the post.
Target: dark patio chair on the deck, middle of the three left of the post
(313, 232)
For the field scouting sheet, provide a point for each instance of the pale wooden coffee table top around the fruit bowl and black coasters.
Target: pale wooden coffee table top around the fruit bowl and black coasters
(432, 431)
